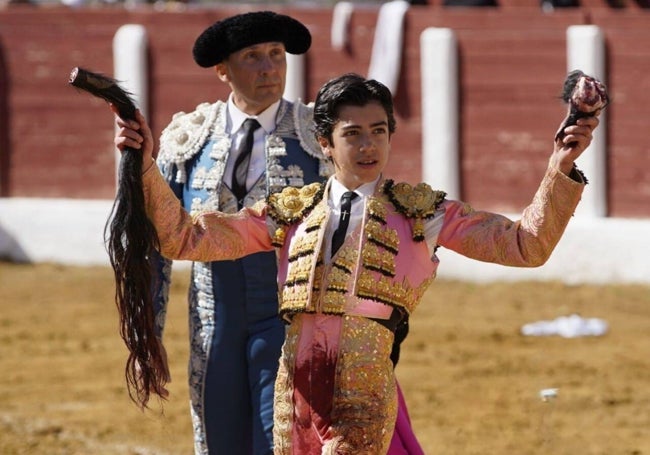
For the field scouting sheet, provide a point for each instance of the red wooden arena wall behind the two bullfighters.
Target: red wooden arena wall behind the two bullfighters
(56, 142)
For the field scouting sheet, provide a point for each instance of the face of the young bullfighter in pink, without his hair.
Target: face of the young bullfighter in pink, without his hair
(360, 144)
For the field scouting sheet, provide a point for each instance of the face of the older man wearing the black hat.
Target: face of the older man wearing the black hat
(256, 75)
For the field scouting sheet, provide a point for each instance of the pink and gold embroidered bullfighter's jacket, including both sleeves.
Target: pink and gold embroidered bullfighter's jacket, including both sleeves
(384, 263)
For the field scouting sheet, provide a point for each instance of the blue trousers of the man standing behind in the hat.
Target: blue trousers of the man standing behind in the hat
(243, 358)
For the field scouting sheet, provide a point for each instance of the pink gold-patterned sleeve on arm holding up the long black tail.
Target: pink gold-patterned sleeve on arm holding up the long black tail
(209, 236)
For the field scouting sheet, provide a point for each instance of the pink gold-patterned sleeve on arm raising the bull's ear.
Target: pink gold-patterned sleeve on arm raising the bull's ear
(527, 242)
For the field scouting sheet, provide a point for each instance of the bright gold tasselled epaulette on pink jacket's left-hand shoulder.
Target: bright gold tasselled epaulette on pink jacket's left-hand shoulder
(291, 205)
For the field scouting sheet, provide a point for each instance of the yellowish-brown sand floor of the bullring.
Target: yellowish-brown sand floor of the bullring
(471, 380)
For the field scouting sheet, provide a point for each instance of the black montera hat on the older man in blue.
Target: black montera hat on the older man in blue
(223, 38)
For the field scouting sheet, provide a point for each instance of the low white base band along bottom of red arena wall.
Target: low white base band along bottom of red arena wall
(593, 250)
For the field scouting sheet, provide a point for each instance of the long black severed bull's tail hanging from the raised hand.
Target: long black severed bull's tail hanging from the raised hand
(131, 240)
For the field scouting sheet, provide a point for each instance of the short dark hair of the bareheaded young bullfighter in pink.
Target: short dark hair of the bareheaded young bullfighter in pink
(349, 90)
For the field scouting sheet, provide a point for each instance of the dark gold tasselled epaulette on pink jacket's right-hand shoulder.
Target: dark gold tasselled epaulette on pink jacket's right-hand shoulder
(418, 203)
